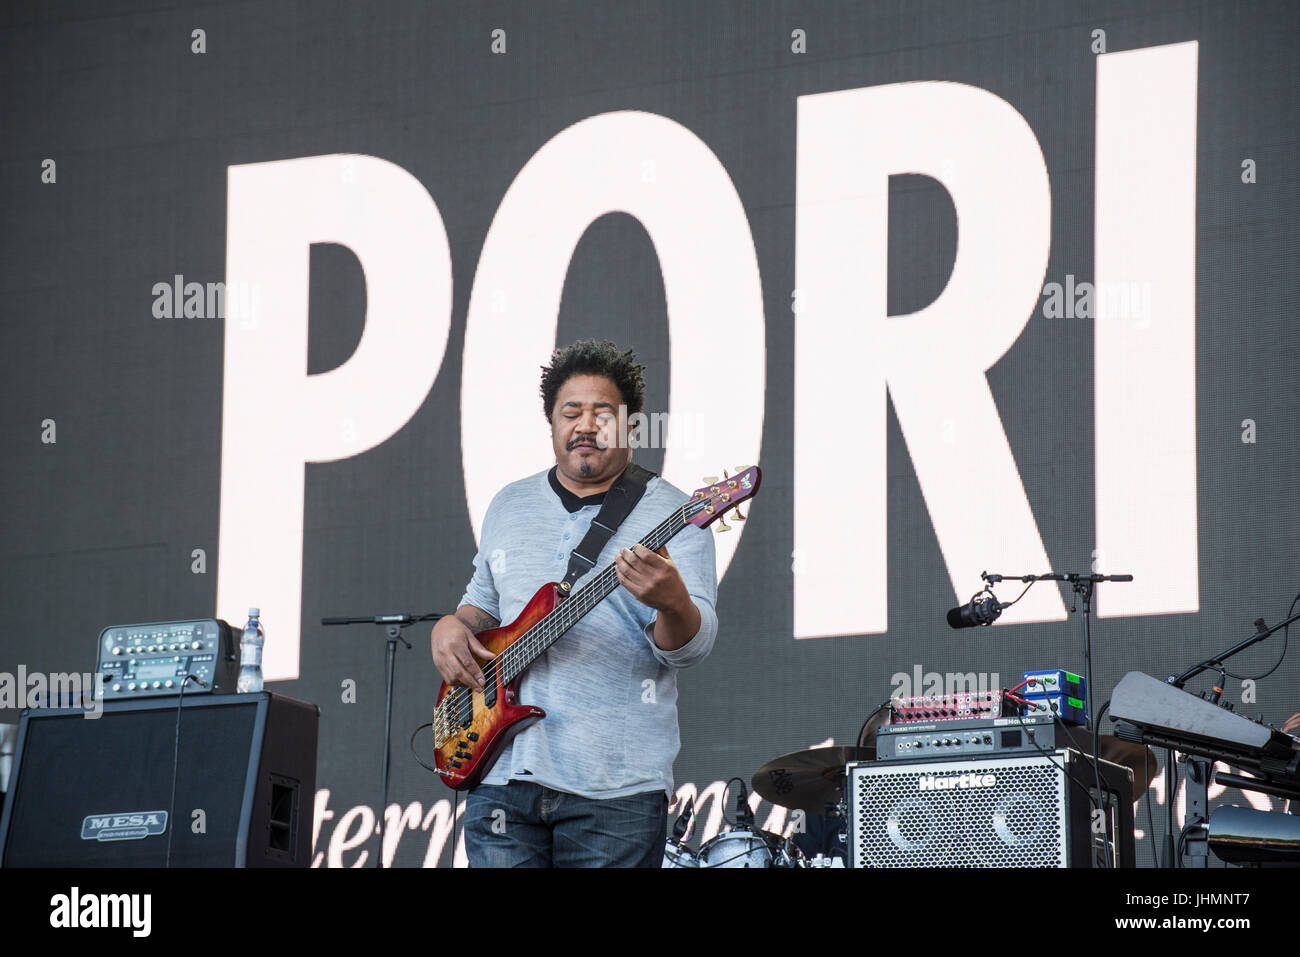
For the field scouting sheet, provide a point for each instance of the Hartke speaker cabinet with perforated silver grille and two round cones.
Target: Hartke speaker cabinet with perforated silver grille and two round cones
(1009, 812)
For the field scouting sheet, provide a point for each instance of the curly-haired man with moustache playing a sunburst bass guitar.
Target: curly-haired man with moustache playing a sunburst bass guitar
(590, 783)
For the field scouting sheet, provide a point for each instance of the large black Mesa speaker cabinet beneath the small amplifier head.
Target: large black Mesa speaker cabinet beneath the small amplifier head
(96, 793)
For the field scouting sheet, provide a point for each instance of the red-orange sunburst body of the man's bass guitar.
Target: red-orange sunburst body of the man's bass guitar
(495, 716)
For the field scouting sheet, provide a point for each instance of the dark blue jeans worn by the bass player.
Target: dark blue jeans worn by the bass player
(525, 825)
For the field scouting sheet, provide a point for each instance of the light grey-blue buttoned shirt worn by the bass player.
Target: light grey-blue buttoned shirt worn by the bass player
(609, 692)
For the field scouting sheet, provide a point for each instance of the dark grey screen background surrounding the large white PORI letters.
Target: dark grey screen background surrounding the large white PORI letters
(99, 529)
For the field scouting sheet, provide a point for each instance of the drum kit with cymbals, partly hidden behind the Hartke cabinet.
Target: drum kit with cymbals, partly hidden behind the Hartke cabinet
(813, 782)
